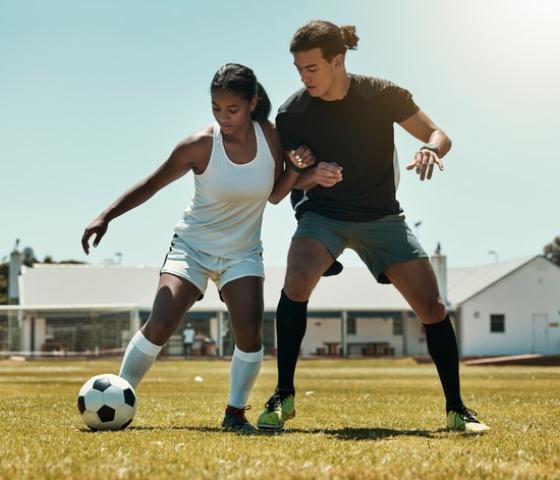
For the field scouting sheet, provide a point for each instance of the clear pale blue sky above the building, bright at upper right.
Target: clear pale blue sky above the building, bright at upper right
(94, 95)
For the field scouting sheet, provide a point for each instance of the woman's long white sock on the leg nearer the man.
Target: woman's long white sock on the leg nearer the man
(245, 367)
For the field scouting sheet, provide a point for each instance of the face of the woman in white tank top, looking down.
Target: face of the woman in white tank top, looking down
(230, 110)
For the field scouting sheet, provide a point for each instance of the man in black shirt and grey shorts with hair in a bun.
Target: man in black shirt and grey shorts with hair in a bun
(348, 201)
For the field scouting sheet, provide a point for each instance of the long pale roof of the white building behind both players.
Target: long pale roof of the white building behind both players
(354, 289)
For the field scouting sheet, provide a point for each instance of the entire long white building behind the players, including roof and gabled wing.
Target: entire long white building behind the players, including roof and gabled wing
(503, 308)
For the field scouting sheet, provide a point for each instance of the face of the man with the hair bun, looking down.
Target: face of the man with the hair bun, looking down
(317, 74)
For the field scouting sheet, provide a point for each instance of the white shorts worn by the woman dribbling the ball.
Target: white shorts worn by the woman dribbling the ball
(198, 267)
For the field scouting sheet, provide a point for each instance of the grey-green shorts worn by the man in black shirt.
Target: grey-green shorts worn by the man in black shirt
(379, 243)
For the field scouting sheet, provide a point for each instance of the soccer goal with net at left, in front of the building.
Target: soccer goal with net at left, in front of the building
(63, 331)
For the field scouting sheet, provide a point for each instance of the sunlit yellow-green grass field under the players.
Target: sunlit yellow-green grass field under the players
(357, 419)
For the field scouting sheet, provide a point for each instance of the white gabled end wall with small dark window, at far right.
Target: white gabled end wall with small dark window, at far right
(533, 290)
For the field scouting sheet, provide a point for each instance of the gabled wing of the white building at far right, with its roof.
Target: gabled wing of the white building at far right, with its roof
(508, 308)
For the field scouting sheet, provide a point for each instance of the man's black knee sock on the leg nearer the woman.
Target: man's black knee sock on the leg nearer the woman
(291, 322)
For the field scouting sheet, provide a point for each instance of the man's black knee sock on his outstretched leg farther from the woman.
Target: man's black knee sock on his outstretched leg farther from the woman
(442, 346)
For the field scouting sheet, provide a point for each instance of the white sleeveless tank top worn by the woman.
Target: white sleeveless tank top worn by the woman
(225, 215)
